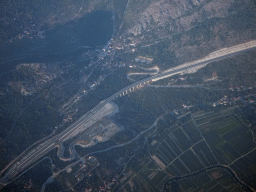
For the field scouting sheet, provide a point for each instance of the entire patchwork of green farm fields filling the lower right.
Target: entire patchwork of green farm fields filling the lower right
(203, 151)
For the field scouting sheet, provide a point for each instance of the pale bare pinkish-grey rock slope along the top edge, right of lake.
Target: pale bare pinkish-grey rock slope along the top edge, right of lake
(177, 16)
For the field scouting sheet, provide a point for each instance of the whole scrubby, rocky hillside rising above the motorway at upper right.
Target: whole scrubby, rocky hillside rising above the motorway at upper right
(190, 28)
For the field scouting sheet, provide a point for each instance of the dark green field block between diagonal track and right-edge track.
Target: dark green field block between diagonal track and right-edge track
(226, 134)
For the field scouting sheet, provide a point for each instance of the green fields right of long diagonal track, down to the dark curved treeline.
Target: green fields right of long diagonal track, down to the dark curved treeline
(231, 141)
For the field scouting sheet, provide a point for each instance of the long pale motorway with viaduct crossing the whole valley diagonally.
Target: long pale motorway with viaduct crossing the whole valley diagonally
(21, 164)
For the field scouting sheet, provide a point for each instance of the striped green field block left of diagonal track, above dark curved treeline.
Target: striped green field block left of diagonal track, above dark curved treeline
(182, 150)
